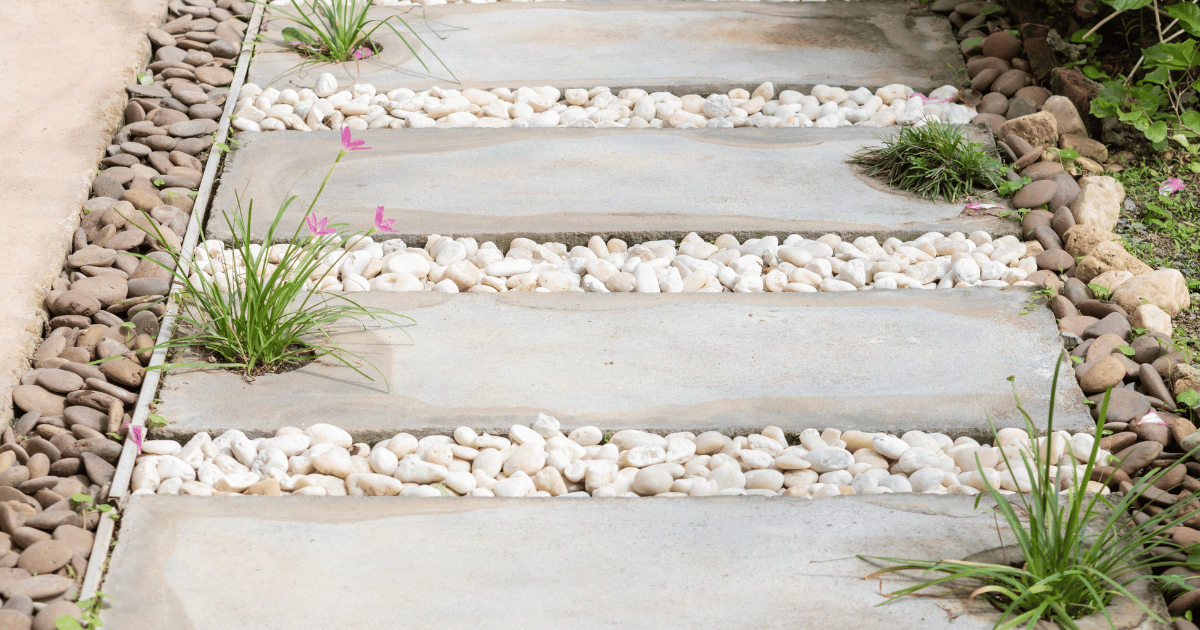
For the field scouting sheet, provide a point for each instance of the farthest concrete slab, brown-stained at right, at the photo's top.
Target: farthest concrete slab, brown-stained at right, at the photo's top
(694, 47)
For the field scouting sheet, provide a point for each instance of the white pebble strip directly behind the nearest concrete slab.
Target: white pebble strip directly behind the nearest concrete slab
(543, 461)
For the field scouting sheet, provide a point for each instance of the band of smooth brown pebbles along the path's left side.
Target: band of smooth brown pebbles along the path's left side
(107, 304)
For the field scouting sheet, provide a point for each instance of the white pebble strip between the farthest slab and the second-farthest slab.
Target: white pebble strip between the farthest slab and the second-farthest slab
(328, 106)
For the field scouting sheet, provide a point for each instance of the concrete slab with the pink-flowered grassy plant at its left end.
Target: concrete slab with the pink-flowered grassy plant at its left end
(735, 363)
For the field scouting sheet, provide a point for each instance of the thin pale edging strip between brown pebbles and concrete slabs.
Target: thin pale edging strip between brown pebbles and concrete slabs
(129, 452)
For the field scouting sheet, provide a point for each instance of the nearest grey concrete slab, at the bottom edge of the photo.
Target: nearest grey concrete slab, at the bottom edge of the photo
(191, 563)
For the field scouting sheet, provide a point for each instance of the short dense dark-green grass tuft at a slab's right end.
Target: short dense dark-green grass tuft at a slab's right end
(934, 161)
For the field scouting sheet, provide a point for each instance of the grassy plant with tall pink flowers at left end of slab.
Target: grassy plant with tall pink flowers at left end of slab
(260, 322)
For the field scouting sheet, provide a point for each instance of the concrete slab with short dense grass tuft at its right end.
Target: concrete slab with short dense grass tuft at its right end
(568, 185)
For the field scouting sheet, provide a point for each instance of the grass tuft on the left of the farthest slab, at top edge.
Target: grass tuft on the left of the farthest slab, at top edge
(339, 31)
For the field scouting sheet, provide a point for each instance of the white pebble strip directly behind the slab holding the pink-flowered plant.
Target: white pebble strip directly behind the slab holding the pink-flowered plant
(694, 266)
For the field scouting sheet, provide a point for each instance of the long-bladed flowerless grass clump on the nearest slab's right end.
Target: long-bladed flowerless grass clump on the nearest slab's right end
(1081, 550)
